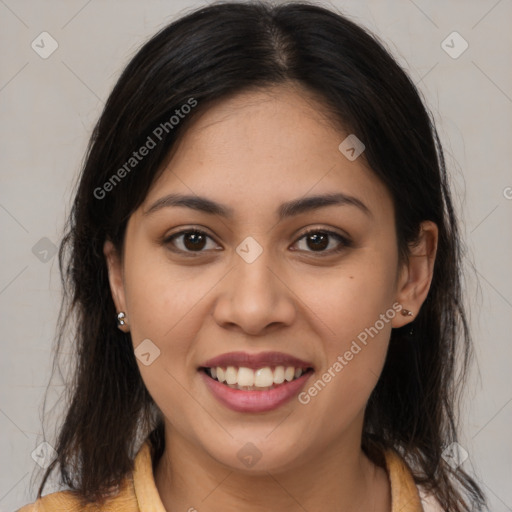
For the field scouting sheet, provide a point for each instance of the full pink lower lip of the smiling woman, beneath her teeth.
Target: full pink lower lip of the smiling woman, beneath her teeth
(255, 401)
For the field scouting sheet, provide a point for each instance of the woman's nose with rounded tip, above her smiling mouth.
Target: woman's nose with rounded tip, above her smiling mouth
(254, 298)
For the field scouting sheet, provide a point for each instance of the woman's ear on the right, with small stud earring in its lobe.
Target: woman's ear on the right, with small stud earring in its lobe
(416, 275)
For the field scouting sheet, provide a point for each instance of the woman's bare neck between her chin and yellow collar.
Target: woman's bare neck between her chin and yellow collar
(339, 479)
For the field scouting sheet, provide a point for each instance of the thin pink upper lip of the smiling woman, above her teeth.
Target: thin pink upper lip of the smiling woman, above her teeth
(255, 361)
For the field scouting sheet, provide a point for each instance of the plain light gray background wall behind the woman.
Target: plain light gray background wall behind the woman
(48, 108)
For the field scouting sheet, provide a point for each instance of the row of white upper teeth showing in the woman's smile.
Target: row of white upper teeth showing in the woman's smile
(249, 379)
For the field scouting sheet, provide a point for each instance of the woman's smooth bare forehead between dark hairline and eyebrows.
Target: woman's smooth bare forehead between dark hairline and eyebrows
(263, 147)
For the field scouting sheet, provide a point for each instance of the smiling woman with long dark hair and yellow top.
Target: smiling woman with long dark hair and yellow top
(264, 267)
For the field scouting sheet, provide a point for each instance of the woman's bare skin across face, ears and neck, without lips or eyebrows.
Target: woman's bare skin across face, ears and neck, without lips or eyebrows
(251, 153)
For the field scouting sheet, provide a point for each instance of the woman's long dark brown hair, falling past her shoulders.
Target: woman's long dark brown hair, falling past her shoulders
(206, 56)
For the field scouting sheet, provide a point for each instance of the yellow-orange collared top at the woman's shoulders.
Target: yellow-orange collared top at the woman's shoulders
(138, 492)
